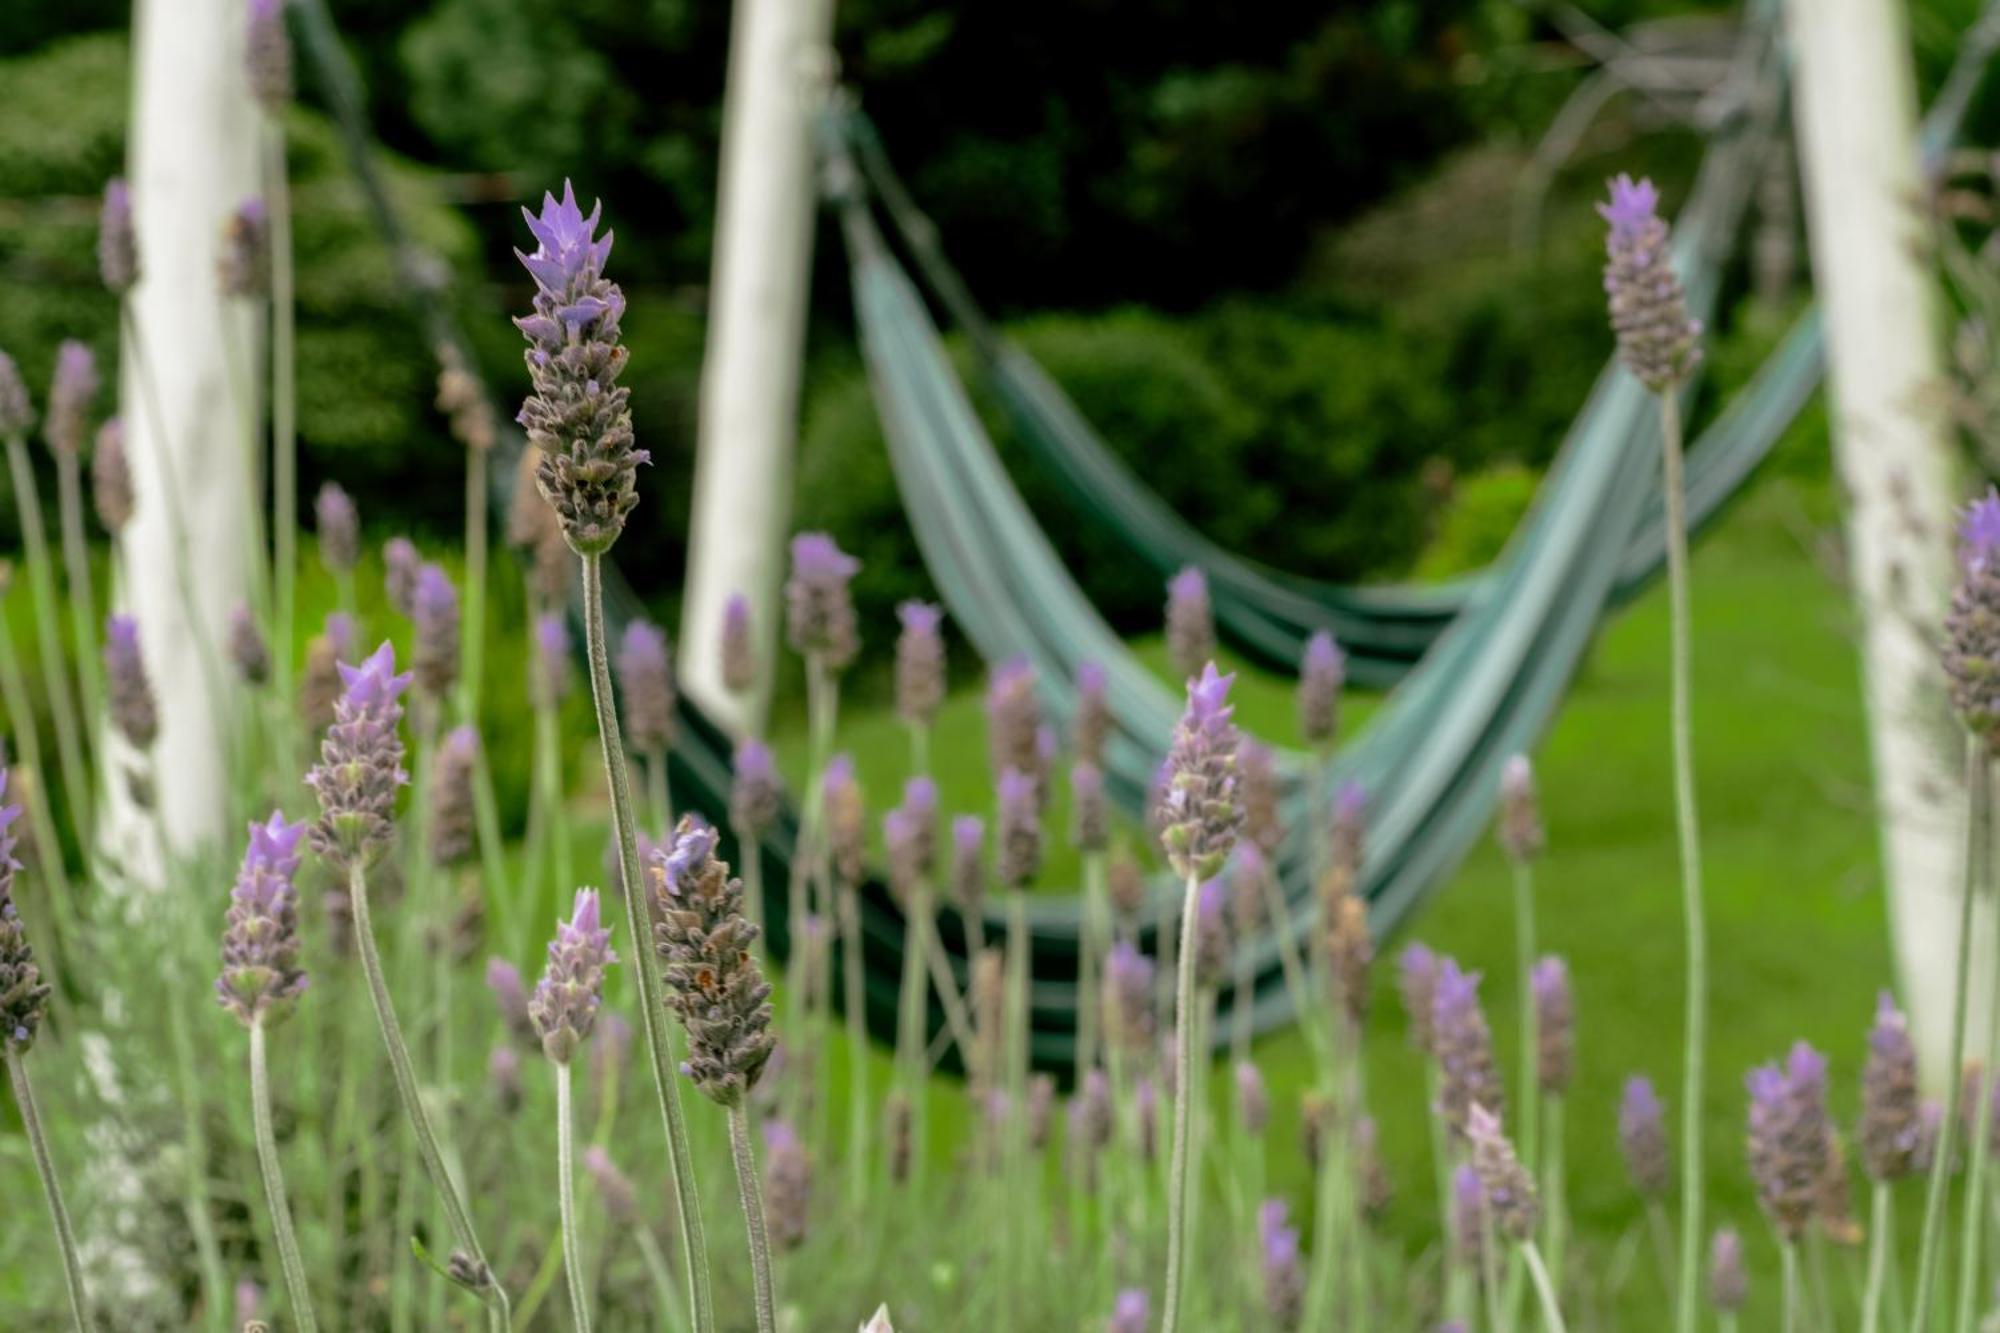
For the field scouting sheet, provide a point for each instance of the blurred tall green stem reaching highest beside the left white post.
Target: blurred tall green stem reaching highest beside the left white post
(283, 403)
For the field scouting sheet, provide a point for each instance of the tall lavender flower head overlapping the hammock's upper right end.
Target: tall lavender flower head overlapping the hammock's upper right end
(1657, 341)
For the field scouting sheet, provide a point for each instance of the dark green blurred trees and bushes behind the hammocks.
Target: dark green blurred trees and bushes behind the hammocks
(1269, 249)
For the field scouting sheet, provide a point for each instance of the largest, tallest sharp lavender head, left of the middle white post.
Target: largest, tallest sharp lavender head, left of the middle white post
(579, 415)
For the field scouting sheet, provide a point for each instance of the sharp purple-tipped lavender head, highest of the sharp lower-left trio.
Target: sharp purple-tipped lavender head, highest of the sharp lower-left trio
(361, 762)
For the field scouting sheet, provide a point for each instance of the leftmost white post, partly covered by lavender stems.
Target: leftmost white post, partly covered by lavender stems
(191, 163)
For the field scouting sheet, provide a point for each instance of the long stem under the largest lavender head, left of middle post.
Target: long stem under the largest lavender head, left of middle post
(639, 922)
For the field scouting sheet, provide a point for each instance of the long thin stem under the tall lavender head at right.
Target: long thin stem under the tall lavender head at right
(1691, 868)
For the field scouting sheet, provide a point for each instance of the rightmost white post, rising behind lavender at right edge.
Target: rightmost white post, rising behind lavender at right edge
(1855, 107)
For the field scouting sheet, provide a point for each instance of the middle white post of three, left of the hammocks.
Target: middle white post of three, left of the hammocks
(757, 333)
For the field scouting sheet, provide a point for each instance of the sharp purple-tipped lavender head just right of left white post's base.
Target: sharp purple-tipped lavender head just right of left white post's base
(261, 972)
